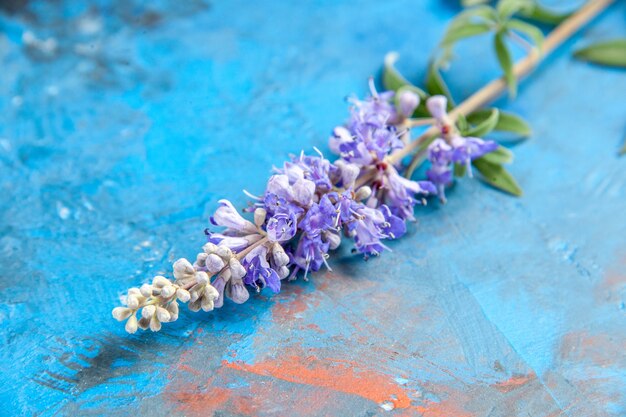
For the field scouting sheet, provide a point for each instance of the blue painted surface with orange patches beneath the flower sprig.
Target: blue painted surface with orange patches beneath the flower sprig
(118, 137)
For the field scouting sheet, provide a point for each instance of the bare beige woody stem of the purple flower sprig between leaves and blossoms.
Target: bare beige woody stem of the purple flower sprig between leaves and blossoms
(522, 68)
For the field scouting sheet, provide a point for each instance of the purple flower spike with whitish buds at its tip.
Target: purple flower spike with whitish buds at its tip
(308, 208)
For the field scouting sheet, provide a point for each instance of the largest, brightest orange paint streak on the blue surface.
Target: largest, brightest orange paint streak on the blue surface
(332, 374)
